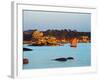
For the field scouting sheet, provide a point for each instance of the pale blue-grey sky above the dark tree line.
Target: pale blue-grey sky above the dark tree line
(43, 20)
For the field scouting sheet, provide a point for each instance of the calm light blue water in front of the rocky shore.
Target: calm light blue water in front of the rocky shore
(41, 57)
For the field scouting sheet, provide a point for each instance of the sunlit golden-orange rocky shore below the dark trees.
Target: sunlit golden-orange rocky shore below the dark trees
(38, 38)
